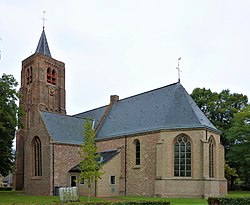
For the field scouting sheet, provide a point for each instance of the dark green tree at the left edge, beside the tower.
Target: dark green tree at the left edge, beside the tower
(8, 121)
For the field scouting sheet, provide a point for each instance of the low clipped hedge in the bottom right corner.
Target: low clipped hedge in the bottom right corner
(228, 201)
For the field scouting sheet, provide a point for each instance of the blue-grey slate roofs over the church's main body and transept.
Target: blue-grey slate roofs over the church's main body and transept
(165, 108)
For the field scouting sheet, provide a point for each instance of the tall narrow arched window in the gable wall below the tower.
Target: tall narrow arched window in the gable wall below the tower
(37, 157)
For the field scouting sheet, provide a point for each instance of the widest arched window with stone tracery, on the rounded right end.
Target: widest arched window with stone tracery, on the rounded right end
(182, 156)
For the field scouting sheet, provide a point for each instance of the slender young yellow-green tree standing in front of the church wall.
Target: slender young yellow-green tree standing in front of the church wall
(90, 164)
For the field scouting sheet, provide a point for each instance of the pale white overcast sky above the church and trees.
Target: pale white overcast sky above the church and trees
(126, 47)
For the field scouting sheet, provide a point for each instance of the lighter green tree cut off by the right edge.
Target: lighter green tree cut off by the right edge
(239, 135)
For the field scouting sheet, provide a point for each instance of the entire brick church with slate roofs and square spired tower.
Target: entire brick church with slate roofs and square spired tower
(157, 143)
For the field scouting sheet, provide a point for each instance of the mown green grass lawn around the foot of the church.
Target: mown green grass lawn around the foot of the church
(14, 197)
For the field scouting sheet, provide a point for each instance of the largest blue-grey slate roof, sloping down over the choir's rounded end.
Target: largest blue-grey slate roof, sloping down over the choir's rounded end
(168, 107)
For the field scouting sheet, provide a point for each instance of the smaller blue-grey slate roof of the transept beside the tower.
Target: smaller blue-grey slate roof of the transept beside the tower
(64, 128)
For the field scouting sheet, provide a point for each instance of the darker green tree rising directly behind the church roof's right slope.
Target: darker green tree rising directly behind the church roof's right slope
(220, 108)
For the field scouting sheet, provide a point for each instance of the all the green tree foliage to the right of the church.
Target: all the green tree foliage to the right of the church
(229, 113)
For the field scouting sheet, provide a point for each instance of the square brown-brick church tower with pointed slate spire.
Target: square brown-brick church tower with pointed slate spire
(42, 89)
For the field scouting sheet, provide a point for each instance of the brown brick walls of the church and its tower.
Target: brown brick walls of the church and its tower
(153, 177)
